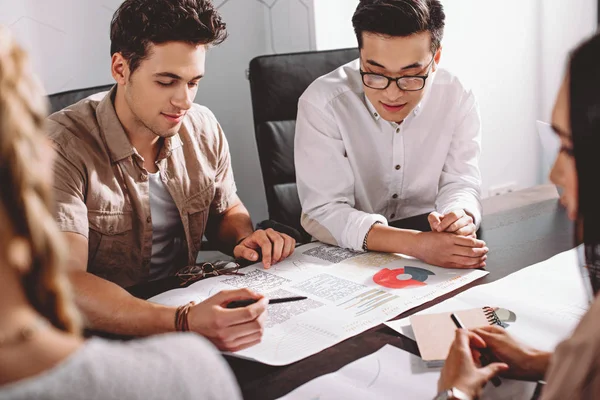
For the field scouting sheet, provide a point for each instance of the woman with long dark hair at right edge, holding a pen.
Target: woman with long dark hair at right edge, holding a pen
(573, 371)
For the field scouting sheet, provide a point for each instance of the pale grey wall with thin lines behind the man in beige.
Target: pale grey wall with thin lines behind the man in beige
(68, 41)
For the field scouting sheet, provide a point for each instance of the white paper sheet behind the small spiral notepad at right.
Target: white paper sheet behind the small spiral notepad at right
(548, 299)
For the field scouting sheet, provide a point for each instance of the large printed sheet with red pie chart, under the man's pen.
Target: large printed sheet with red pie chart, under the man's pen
(348, 293)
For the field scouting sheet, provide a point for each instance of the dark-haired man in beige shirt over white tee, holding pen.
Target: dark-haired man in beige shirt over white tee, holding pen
(142, 173)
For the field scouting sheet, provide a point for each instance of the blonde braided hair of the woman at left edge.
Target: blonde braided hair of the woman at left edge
(25, 196)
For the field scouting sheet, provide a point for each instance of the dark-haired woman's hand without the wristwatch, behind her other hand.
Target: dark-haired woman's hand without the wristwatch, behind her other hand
(524, 363)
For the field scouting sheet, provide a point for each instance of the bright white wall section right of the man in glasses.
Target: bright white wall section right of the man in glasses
(495, 51)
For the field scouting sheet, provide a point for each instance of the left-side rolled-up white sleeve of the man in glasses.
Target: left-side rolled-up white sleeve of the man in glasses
(326, 182)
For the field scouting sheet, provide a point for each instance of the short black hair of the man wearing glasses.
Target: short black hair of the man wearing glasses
(400, 18)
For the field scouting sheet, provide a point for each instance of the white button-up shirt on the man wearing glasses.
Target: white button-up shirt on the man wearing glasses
(353, 168)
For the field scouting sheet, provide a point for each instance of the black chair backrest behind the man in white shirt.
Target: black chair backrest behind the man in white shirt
(276, 83)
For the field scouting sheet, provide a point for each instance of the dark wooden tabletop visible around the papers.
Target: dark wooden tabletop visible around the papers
(520, 229)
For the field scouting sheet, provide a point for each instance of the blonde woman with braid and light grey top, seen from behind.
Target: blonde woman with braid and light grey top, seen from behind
(42, 353)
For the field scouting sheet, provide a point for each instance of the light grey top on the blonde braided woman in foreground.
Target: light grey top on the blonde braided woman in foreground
(171, 366)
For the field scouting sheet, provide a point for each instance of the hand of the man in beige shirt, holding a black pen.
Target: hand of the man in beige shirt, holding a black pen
(230, 329)
